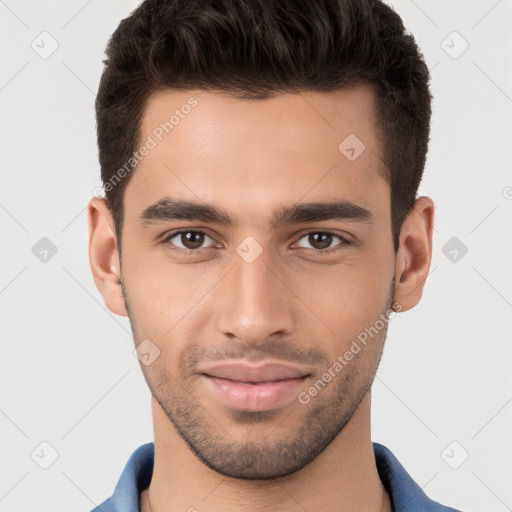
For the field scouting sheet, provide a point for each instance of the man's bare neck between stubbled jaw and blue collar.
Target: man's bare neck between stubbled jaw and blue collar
(342, 478)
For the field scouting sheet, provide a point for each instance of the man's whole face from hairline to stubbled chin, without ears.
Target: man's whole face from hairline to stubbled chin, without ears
(285, 257)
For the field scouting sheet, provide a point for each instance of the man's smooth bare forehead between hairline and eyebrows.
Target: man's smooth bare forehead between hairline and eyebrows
(213, 147)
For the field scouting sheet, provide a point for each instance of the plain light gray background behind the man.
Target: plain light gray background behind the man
(68, 374)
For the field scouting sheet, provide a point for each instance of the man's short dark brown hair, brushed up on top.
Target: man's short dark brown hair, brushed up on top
(255, 49)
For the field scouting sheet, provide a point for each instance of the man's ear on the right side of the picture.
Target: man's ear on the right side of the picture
(414, 254)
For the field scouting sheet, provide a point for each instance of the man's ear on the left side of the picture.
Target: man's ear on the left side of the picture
(103, 255)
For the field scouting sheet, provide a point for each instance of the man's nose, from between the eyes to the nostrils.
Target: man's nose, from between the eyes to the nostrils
(254, 302)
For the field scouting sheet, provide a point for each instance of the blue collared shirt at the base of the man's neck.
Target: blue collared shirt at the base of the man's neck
(405, 494)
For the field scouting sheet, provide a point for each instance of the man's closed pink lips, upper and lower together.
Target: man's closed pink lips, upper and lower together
(252, 387)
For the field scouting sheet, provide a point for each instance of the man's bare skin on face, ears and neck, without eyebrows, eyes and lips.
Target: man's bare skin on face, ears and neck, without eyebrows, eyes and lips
(291, 305)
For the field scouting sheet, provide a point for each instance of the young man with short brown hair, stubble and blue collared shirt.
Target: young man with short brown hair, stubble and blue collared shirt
(261, 161)
